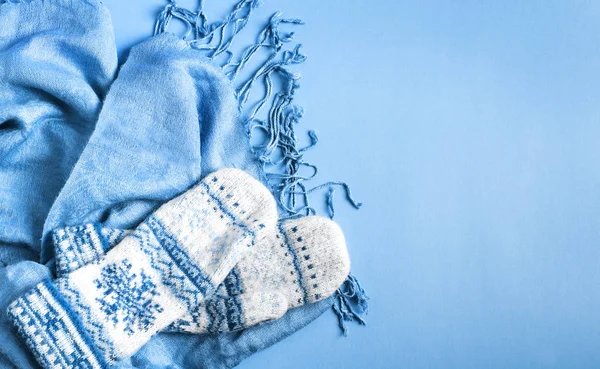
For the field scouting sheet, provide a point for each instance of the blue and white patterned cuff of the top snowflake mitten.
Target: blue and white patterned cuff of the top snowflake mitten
(53, 332)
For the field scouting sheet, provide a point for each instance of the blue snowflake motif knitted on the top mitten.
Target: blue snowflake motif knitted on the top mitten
(128, 298)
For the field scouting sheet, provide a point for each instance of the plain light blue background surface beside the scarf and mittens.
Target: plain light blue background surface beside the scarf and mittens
(471, 132)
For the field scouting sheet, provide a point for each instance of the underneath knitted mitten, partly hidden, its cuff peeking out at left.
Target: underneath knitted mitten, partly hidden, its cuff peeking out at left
(304, 261)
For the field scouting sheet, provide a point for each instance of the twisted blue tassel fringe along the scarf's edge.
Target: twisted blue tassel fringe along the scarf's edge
(279, 154)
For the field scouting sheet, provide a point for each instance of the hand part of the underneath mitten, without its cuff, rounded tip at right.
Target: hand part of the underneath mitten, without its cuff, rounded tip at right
(292, 272)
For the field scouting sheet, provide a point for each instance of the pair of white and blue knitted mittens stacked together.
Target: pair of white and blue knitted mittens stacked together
(212, 259)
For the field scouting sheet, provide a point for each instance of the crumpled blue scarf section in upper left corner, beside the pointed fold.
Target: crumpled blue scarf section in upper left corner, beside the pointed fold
(57, 61)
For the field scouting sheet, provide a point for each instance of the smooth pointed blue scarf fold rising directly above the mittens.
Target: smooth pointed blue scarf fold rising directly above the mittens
(169, 117)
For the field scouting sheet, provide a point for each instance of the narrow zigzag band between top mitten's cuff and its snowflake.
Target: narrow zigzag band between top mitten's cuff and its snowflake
(94, 328)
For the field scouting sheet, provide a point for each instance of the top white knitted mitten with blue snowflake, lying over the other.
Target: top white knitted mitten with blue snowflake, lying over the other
(160, 272)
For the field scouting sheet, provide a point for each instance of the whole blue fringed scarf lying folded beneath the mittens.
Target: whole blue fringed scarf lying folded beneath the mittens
(78, 145)
